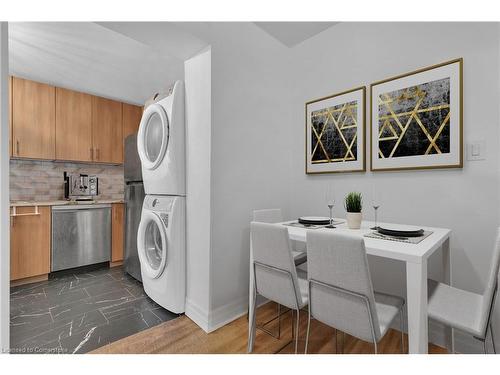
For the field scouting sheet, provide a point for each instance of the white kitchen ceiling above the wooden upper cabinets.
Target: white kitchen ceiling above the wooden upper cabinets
(88, 57)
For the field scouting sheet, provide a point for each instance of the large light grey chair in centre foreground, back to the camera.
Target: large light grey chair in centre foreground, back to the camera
(341, 291)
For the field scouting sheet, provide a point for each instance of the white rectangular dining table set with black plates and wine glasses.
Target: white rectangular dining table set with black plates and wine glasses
(415, 257)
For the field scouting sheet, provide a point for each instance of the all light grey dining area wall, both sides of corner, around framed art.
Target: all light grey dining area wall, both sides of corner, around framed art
(259, 88)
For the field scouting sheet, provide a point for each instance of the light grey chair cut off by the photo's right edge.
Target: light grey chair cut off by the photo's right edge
(466, 311)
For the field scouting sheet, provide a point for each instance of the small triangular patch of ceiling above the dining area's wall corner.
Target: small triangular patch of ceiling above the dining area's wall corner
(292, 33)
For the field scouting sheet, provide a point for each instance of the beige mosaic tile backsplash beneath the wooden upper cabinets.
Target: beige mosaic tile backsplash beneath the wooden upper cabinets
(43, 180)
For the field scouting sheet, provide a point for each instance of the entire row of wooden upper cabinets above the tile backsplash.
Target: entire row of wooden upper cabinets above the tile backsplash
(60, 124)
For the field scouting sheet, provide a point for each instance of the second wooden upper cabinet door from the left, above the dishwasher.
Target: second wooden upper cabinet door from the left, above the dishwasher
(73, 125)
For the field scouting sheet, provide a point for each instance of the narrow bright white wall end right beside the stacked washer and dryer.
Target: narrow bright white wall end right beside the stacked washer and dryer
(198, 160)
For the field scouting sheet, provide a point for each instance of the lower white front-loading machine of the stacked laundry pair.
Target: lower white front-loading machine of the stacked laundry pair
(161, 244)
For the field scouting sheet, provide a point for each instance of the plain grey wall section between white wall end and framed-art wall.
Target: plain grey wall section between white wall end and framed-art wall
(250, 158)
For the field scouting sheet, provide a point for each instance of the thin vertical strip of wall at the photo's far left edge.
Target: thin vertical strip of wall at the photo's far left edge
(4, 190)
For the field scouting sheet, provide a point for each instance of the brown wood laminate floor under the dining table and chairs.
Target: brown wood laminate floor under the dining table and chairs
(183, 336)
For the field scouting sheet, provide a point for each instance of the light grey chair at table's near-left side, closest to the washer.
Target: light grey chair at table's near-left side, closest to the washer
(274, 270)
